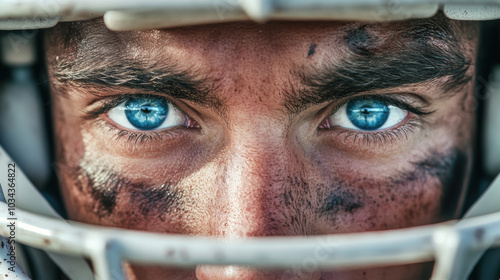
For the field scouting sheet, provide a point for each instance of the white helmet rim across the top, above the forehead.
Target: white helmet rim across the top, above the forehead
(135, 15)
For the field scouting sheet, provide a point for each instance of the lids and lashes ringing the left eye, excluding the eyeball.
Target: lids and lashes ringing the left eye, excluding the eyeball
(135, 137)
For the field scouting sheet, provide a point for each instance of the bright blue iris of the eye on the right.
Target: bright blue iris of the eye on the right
(367, 114)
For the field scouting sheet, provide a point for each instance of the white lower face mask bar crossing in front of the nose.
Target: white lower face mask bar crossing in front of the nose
(447, 243)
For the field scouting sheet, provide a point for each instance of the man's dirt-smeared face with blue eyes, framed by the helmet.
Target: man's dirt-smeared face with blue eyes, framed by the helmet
(280, 129)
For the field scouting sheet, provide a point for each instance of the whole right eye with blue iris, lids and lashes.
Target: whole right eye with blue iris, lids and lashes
(375, 118)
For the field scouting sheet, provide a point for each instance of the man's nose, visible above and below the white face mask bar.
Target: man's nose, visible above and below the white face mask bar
(249, 201)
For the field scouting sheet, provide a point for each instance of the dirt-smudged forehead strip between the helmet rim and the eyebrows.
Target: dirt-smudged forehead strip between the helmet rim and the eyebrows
(222, 42)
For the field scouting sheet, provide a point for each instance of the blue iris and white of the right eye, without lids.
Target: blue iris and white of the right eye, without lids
(367, 114)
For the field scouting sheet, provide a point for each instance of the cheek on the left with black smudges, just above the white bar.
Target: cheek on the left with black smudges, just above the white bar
(97, 195)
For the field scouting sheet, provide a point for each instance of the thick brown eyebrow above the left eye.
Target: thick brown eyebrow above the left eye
(134, 74)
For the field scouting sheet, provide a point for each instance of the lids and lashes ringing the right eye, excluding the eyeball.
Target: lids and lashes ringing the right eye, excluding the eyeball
(417, 114)
